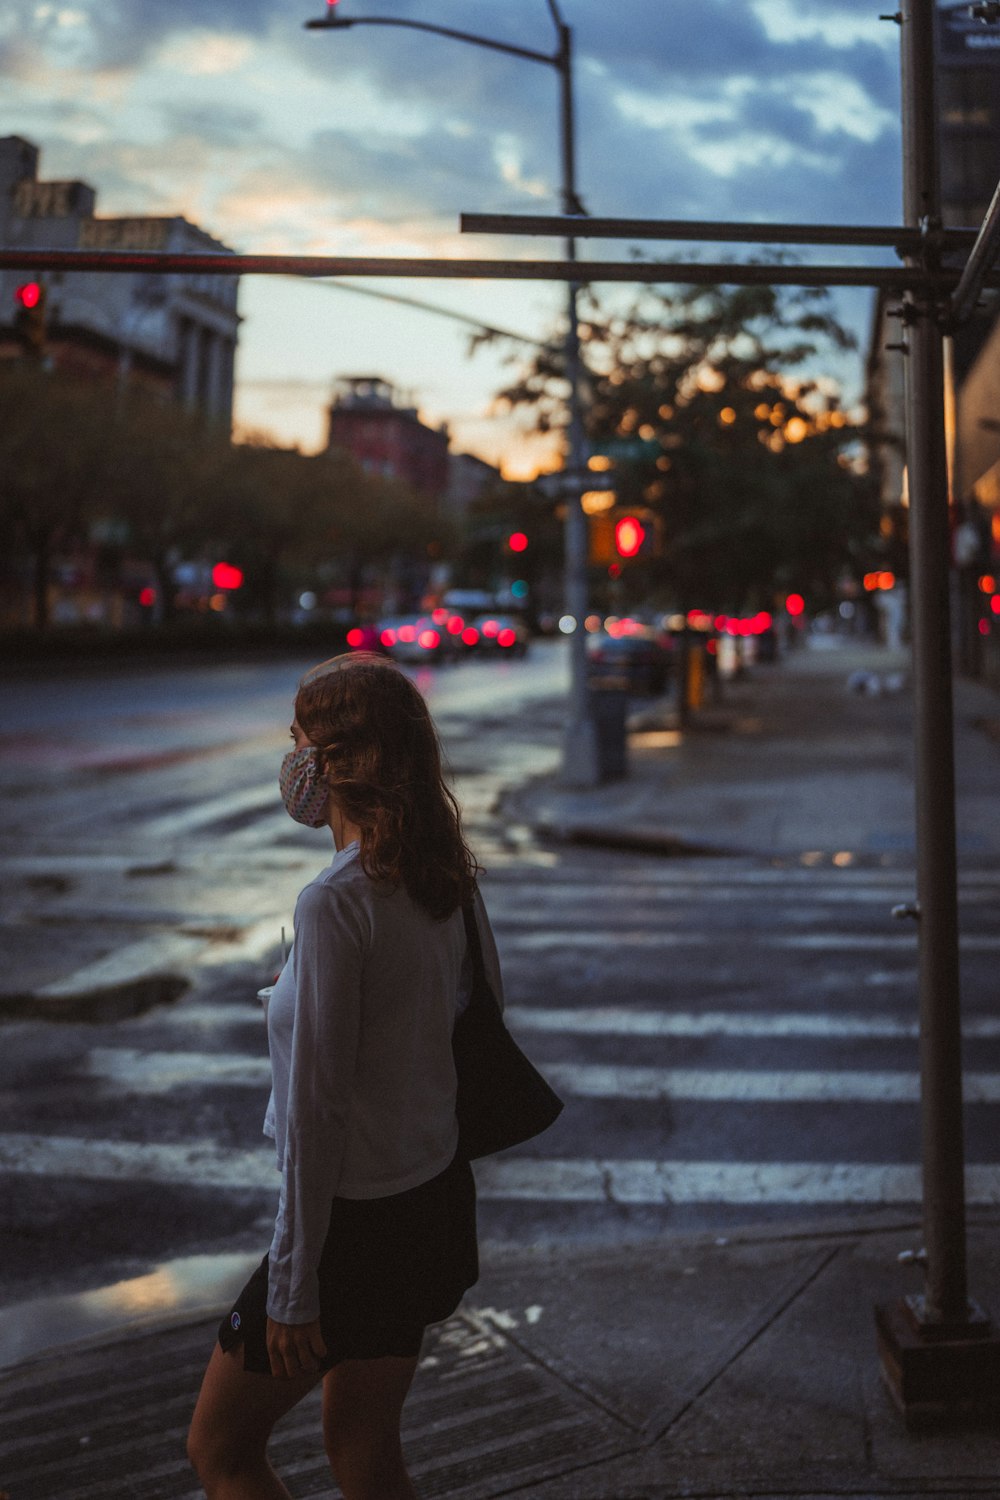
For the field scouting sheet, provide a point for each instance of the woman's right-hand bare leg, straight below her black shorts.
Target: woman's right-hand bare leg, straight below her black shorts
(362, 1406)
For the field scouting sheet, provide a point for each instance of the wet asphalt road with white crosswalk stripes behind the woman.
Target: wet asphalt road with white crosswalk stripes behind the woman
(735, 1037)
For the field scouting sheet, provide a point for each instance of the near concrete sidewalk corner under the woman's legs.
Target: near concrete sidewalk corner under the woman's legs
(711, 1367)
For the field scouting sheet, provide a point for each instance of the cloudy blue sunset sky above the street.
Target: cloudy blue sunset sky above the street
(376, 140)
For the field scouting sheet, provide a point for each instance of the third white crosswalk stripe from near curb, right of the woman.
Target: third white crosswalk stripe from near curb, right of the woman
(618, 1022)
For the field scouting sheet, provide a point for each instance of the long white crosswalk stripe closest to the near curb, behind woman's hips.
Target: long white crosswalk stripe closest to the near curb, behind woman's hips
(546, 1181)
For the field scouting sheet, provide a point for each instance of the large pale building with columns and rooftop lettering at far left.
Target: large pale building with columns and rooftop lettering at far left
(173, 335)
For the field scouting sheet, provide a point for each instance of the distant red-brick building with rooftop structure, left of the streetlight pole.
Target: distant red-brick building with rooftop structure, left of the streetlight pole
(370, 421)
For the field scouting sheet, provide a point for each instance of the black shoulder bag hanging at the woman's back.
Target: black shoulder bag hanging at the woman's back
(503, 1099)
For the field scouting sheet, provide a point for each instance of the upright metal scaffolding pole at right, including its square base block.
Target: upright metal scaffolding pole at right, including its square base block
(938, 1352)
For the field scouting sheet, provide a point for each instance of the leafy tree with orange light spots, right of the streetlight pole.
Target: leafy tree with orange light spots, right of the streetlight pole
(744, 466)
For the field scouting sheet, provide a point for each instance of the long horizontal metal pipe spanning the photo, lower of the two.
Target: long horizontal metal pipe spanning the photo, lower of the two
(729, 274)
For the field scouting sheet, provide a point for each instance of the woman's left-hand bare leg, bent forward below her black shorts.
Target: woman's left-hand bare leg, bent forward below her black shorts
(232, 1426)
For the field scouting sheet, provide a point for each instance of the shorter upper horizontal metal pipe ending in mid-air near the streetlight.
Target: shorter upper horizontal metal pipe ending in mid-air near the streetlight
(879, 235)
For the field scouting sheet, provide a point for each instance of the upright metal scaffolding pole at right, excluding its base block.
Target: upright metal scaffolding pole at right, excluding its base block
(938, 872)
